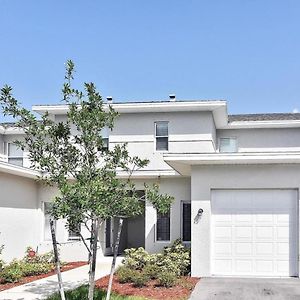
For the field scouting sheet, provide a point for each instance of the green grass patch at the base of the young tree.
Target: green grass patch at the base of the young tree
(82, 292)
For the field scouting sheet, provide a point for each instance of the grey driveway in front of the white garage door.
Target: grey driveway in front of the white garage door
(247, 289)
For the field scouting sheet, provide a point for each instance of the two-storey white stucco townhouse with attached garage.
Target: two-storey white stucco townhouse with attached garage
(235, 179)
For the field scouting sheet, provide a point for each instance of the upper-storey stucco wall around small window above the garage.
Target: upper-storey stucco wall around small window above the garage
(264, 140)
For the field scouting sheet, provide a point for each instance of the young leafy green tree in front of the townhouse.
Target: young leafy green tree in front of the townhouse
(72, 155)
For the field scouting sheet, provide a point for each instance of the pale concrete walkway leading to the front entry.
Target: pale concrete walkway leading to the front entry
(42, 288)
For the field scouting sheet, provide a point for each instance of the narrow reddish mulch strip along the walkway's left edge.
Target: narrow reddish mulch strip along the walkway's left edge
(66, 267)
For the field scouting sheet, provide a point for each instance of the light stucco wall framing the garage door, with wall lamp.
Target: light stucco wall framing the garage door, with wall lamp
(206, 178)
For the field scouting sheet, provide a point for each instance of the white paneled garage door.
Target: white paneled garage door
(254, 232)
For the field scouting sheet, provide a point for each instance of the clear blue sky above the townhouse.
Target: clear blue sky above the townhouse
(247, 52)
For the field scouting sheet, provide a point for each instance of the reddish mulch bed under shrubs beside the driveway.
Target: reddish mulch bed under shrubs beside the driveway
(151, 291)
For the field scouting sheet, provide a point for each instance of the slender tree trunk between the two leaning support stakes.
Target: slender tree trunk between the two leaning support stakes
(94, 241)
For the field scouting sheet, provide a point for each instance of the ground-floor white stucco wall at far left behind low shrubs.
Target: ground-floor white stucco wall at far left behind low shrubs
(19, 218)
